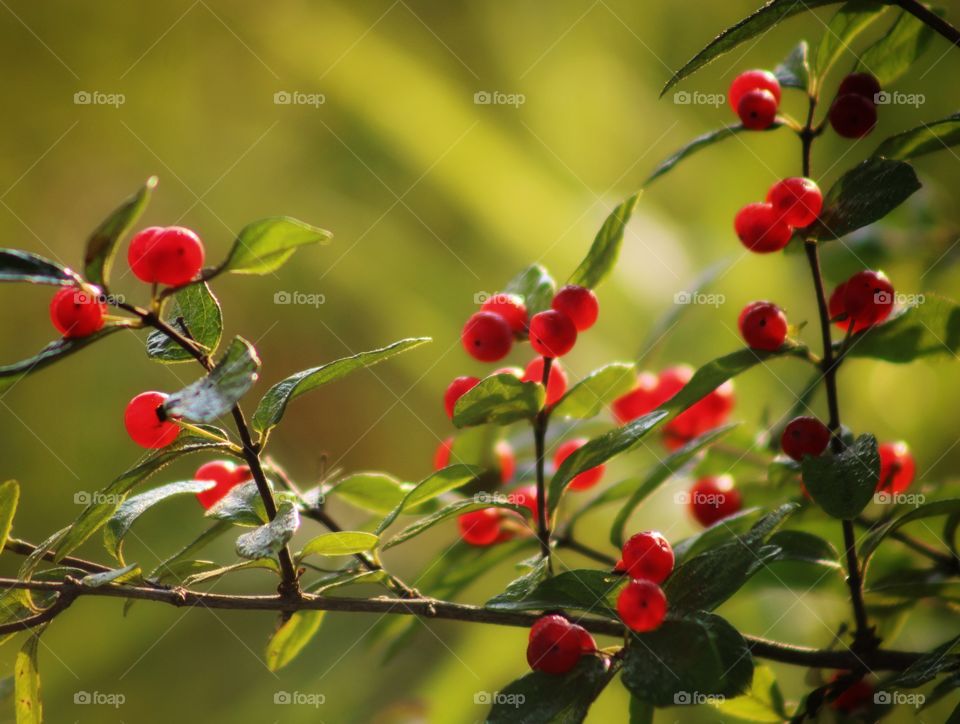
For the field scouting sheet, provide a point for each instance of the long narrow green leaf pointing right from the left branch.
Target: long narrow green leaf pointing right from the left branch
(273, 404)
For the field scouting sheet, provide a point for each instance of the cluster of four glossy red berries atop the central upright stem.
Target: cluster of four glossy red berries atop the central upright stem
(488, 335)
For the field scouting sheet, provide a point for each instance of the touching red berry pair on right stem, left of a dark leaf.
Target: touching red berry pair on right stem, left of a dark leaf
(765, 227)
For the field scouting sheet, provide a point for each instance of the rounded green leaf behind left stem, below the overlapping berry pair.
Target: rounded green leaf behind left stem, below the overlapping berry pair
(195, 308)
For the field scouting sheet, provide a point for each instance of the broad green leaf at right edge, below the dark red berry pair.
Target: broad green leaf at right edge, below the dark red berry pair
(930, 328)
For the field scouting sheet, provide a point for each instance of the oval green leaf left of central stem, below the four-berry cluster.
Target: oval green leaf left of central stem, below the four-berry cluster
(499, 400)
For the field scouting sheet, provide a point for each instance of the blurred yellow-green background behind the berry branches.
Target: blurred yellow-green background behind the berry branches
(433, 198)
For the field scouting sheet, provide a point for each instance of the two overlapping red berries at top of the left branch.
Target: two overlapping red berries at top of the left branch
(172, 255)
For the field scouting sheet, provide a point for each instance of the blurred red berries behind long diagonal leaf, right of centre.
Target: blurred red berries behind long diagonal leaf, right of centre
(652, 390)
